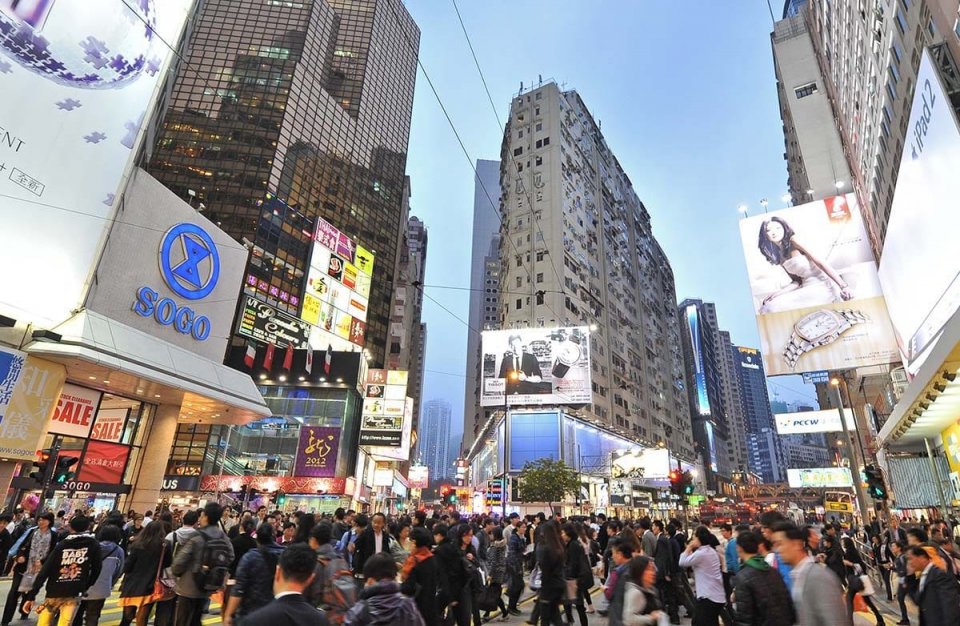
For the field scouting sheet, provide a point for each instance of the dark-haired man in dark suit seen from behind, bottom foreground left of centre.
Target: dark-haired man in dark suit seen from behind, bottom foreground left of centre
(289, 607)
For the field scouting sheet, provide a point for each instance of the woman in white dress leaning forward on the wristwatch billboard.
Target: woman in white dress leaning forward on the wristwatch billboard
(780, 246)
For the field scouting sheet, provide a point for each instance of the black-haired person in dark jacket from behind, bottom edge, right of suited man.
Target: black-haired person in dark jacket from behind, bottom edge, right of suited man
(381, 601)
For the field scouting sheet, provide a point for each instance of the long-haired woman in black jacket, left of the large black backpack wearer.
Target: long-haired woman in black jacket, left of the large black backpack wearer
(147, 554)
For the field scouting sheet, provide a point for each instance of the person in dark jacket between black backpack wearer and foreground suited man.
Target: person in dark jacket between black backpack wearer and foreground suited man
(255, 572)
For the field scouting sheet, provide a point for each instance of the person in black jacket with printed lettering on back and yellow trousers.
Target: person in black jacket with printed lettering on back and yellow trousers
(72, 567)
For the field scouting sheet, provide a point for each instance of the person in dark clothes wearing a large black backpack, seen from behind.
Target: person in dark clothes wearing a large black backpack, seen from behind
(201, 566)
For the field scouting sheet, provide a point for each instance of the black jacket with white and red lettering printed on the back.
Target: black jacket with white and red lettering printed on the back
(72, 567)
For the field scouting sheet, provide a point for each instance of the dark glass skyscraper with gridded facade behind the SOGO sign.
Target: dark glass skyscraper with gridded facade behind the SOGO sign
(310, 101)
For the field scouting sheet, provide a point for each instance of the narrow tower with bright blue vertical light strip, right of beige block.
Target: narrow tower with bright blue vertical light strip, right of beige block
(706, 363)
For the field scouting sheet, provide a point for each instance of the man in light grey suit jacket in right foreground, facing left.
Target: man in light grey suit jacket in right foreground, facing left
(816, 592)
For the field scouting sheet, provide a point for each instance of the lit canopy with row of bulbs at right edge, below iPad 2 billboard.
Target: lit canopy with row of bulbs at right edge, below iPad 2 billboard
(931, 402)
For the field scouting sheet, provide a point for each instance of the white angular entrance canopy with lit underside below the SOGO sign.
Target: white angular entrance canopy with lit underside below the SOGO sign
(104, 354)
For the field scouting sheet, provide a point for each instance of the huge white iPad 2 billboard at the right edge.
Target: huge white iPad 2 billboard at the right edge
(919, 266)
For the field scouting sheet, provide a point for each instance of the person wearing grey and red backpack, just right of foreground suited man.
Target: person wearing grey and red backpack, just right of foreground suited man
(333, 587)
